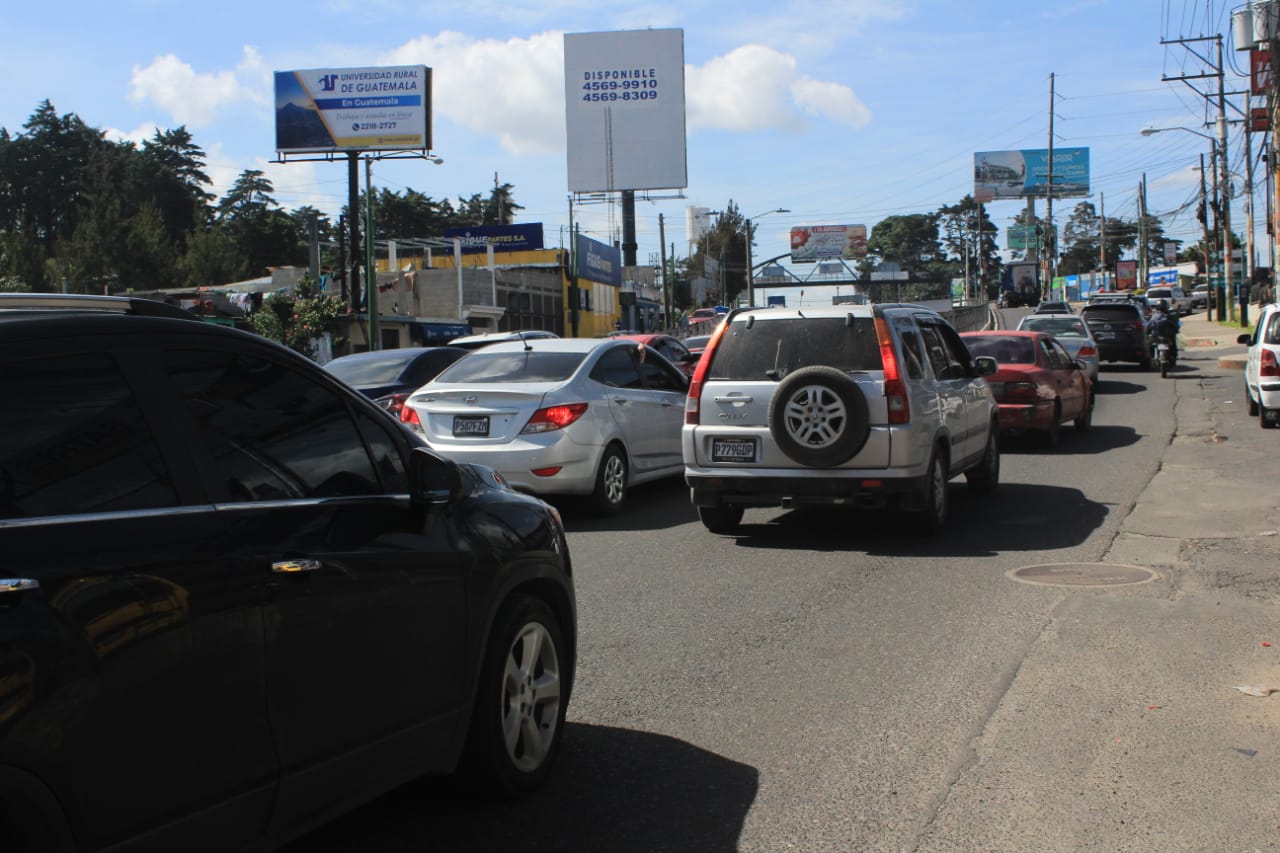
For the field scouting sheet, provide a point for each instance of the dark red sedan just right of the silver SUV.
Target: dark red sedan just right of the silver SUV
(1037, 385)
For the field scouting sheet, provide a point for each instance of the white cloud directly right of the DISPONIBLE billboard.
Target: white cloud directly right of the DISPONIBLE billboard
(757, 89)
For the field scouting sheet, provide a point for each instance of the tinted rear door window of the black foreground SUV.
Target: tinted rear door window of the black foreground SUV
(74, 440)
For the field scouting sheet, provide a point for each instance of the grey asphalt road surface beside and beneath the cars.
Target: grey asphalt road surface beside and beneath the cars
(838, 682)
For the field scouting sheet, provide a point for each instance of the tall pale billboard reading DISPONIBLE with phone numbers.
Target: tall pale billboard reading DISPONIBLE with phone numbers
(625, 111)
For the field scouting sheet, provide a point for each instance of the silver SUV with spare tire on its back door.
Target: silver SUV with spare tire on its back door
(852, 405)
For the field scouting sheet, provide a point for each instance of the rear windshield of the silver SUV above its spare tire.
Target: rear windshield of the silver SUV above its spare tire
(772, 349)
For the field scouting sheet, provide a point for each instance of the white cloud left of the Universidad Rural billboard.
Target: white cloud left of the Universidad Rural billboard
(195, 99)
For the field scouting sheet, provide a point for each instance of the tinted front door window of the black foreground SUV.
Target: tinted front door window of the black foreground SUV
(275, 434)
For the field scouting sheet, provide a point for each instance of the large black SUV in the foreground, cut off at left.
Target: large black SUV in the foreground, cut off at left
(237, 599)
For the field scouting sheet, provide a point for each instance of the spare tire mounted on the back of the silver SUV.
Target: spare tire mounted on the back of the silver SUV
(820, 417)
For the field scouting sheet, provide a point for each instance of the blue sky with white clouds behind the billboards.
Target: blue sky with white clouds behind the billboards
(909, 92)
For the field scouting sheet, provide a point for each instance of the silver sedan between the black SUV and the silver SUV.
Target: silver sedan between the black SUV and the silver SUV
(584, 417)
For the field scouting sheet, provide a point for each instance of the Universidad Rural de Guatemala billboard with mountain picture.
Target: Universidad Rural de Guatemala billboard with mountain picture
(354, 110)
